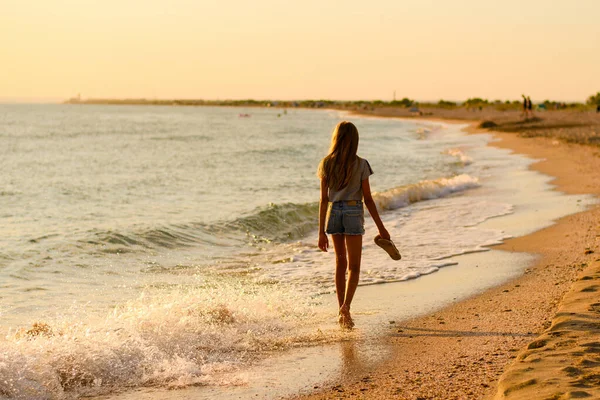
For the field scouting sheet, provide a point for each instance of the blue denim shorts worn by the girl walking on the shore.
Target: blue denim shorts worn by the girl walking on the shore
(345, 218)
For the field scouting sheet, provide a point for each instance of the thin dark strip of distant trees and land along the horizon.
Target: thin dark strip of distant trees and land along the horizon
(474, 102)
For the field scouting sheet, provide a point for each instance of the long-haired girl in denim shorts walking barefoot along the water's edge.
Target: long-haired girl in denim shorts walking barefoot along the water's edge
(344, 184)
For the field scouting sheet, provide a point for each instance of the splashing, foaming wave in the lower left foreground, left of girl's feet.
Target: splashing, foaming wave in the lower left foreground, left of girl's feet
(171, 340)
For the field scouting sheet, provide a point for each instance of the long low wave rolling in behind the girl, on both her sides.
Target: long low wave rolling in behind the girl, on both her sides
(272, 223)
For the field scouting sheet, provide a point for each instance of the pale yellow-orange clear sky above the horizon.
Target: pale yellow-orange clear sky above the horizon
(310, 49)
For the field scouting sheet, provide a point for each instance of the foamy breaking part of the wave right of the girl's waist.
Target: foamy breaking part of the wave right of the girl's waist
(425, 190)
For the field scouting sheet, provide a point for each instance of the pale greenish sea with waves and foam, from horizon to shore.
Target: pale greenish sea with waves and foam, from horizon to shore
(173, 247)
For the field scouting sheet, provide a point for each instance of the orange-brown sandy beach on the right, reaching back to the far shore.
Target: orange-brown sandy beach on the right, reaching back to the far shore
(534, 337)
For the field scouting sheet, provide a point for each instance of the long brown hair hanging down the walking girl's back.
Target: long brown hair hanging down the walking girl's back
(336, 167)
